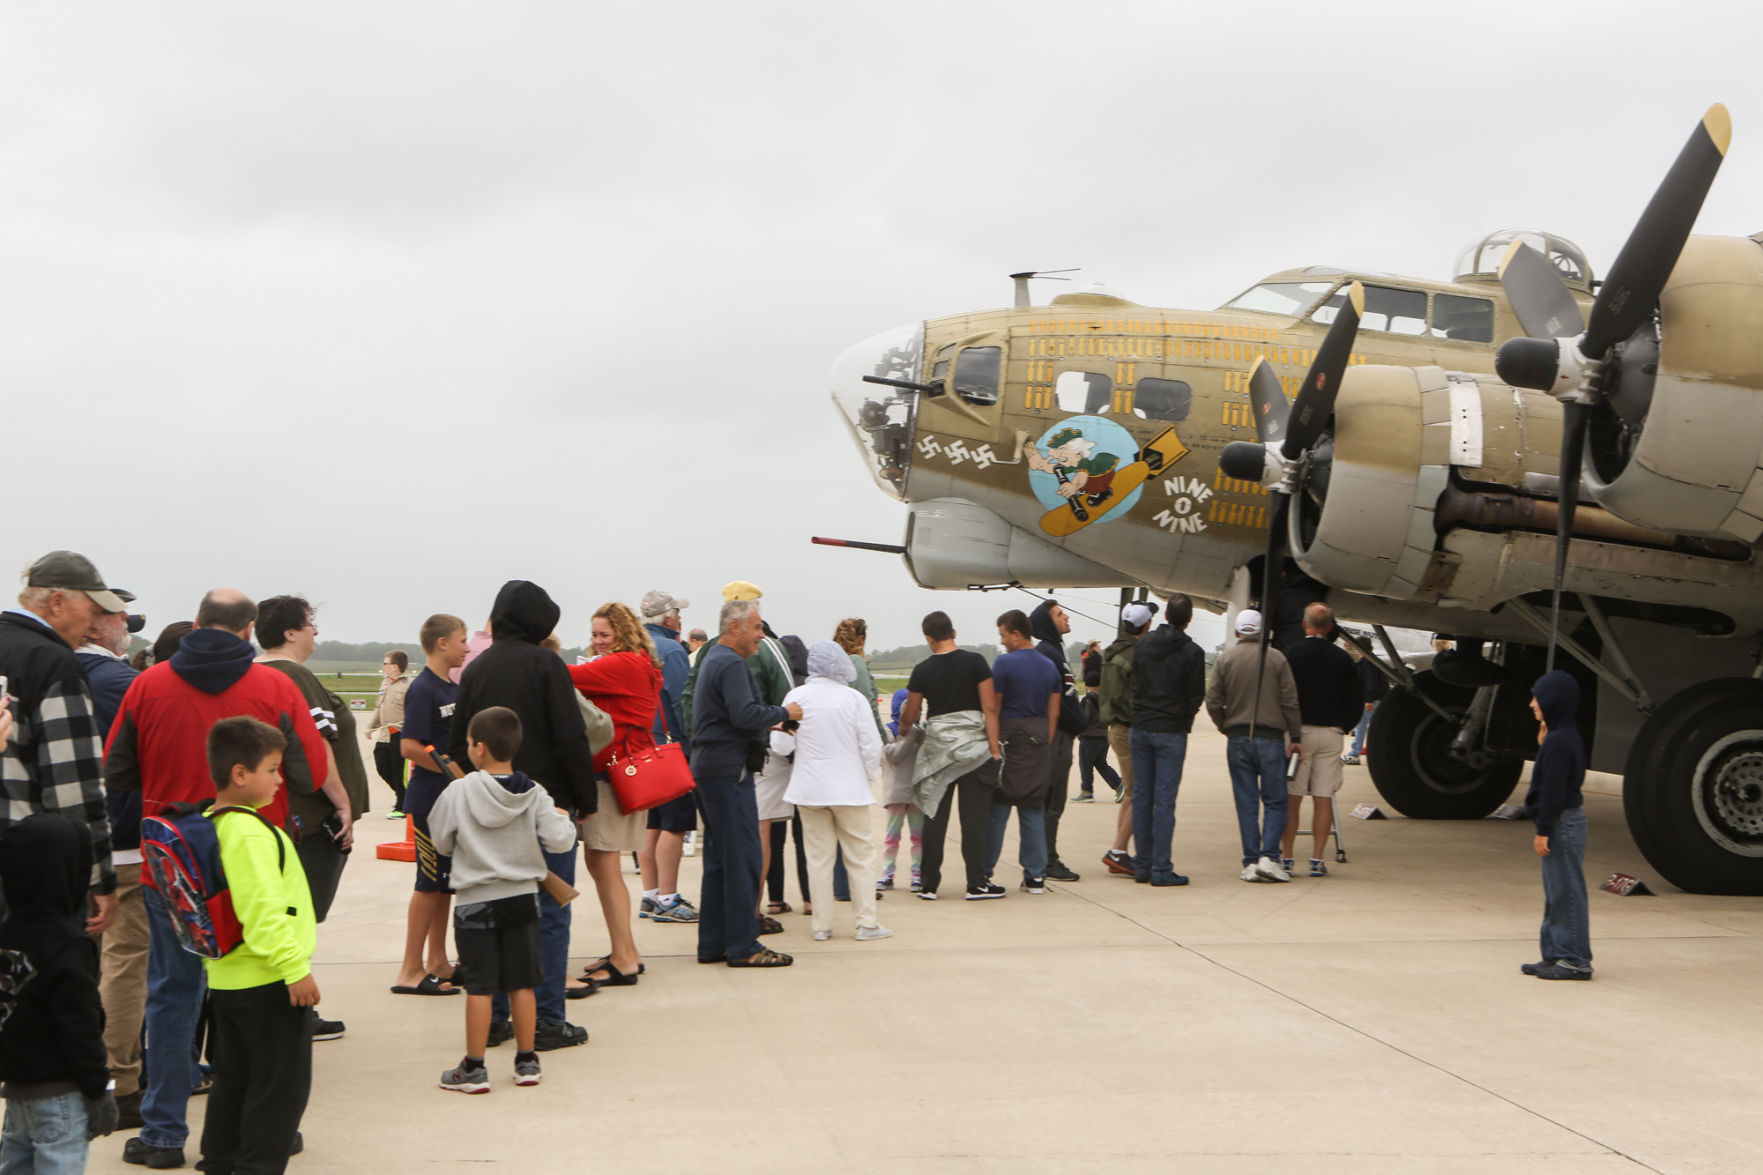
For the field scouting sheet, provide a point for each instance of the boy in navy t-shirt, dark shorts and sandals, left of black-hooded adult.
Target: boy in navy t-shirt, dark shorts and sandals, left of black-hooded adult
(428, 722)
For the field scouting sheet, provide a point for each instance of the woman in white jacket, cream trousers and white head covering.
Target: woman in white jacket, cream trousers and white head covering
(838, 754)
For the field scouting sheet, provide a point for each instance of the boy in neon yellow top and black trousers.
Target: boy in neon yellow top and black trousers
(264, 989)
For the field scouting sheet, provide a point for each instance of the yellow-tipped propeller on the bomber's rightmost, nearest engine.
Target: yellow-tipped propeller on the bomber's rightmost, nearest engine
(1568, 359)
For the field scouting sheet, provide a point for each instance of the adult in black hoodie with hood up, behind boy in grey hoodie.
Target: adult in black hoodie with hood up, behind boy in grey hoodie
(535, 684)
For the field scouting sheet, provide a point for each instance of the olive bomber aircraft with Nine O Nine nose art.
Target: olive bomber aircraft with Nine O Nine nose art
(1536, 465)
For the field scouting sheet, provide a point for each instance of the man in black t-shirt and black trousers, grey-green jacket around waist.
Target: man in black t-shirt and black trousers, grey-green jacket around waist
(955, 682)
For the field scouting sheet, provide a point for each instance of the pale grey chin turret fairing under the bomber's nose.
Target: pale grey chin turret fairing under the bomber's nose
(955, 544)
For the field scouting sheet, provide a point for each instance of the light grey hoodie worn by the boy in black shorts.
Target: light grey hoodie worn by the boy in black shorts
(495, 835)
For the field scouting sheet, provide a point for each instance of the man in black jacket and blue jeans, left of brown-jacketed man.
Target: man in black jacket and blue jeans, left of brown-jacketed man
(1168, 691)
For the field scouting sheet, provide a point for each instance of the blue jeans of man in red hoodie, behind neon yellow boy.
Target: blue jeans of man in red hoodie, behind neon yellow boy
(175, 987)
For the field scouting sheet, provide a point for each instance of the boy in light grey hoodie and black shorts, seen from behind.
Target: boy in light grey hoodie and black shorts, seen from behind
(495, 823)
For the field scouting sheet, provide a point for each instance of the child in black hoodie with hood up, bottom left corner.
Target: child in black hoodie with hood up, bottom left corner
(54, 1070)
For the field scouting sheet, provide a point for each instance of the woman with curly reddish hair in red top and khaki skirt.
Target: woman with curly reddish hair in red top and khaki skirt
(625, 682)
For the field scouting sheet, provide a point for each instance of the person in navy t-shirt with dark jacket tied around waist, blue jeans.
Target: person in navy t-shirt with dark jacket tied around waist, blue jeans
(1029, 691)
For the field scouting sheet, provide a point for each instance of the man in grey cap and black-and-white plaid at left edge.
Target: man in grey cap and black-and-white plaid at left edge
(56, 758)
